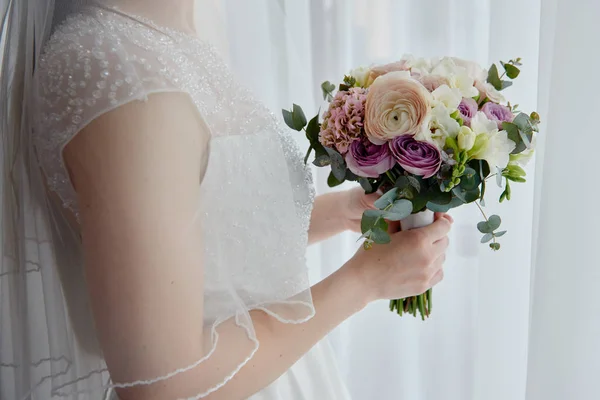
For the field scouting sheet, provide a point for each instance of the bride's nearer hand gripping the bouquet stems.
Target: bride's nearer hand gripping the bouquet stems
(408, 266)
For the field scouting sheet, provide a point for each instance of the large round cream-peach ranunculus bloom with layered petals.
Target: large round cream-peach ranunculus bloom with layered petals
(396, 105)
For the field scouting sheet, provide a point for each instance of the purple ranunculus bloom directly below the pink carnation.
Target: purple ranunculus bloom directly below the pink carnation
(369, 160)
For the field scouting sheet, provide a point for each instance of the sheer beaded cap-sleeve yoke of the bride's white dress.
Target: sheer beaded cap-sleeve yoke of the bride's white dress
(100, 59)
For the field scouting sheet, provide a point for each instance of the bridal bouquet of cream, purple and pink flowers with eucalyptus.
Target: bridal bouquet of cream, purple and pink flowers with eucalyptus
(426, 133)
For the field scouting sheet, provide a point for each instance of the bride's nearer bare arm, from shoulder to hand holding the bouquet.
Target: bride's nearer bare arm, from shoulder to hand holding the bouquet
(137, 184)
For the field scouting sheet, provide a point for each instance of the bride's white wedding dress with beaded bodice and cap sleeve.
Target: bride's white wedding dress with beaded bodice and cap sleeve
(101, 59)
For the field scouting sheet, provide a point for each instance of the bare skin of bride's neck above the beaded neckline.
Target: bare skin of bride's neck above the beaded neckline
(178, 14)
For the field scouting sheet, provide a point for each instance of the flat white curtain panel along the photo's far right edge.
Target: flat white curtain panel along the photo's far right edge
(564, 354)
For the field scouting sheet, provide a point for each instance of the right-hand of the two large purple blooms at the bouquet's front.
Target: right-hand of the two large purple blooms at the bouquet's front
(416, 157)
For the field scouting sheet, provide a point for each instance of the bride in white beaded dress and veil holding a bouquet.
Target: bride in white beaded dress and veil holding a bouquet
(155, 220)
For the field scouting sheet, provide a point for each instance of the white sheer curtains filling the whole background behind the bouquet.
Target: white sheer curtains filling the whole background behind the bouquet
(476, 344)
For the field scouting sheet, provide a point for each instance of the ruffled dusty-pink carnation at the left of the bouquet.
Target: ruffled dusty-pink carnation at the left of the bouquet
(343, 121)
